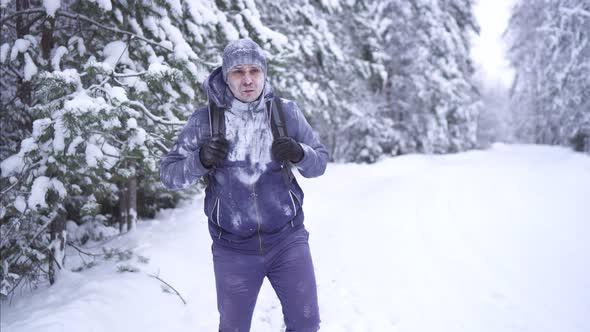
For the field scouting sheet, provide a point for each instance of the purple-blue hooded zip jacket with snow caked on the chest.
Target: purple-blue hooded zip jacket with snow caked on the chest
(247, 202)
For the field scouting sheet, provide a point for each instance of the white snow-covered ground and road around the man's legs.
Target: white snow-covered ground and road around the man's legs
(493, 240)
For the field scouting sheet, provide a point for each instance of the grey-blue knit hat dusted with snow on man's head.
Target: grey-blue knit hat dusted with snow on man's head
(242, 52)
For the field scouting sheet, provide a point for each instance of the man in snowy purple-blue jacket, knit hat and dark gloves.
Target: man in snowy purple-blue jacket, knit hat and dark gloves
(253, 203)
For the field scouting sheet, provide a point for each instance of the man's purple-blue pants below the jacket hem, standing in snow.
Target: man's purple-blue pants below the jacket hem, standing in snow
(289, 268)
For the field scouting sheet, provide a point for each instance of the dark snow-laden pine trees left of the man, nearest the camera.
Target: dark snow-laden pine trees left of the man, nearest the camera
(113, 83)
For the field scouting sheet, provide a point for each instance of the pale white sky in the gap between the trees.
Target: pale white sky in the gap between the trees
(489, 50)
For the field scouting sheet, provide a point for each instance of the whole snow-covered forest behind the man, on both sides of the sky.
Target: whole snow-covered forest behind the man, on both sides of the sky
(93, 93)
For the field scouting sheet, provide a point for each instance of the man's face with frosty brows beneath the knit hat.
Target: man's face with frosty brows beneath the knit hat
(246, 82)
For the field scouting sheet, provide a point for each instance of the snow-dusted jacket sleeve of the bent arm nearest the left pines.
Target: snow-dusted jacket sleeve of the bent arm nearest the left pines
(182, 166)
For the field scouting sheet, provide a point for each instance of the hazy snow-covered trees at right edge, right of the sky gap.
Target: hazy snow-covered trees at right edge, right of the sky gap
(550, 50)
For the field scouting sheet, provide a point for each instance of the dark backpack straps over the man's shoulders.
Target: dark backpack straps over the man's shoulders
(274, 111)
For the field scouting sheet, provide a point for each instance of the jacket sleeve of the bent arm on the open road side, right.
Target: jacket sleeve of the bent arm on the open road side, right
(315, 155)
